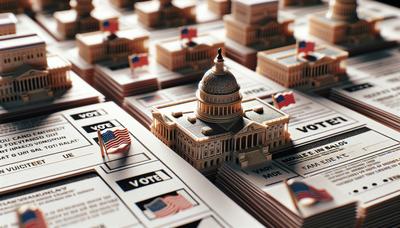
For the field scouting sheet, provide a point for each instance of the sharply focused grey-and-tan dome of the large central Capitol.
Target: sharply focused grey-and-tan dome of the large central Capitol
(218, 96)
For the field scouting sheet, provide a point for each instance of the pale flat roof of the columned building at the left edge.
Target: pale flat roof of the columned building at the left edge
(20, 41)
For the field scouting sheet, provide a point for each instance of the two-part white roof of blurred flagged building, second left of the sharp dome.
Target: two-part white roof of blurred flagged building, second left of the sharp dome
(95, 38)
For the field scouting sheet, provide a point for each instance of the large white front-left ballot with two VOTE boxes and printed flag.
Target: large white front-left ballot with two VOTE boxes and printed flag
(54, 163)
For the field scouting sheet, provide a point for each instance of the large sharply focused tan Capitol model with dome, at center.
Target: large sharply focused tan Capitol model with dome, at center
(219, 126)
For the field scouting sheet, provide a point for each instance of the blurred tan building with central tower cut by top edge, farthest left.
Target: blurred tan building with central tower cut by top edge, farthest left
(81, 18)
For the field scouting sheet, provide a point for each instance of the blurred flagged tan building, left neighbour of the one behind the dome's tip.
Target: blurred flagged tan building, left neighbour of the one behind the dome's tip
(99, 46)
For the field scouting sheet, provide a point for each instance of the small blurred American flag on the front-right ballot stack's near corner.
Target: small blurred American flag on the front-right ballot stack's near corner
(305, 192)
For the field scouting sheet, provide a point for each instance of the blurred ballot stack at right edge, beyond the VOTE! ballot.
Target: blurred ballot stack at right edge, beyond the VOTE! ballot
(378, 98)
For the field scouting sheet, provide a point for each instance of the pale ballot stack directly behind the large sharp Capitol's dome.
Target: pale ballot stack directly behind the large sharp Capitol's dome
(251, 84)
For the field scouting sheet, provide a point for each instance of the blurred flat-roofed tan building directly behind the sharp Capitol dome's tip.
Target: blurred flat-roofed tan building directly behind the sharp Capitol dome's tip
(175, 54)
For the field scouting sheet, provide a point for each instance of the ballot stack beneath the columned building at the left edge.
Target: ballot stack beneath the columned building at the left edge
(78, 95)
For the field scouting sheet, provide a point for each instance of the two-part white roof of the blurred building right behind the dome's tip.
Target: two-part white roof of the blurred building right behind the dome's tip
(175, 44)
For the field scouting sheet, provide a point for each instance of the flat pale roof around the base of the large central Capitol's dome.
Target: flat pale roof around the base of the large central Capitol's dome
(251, 108)
